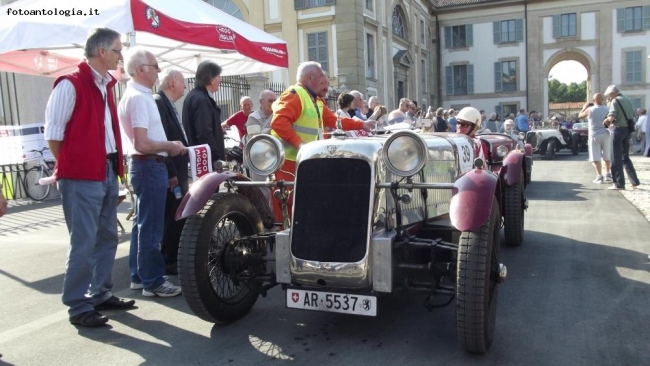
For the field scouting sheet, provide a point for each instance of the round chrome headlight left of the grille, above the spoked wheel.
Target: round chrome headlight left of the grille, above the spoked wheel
(263, 154)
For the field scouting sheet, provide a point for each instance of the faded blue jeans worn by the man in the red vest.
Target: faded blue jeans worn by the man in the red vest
(90, 210)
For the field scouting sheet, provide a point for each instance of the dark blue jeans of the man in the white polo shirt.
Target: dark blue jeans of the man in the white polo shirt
(149, 181)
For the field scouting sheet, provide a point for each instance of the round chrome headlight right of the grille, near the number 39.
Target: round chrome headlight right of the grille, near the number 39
(405, 153)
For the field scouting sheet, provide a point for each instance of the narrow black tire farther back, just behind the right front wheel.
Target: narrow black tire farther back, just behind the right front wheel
(513, 213)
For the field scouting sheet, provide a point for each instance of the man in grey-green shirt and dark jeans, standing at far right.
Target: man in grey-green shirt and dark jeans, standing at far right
(620, 111)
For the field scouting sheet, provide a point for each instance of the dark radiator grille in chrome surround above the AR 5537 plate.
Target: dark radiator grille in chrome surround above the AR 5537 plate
(330, 217)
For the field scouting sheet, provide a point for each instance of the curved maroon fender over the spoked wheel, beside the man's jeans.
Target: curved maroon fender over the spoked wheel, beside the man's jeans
(201, 191)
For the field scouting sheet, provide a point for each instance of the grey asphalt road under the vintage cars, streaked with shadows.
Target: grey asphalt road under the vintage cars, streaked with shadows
(577, 293)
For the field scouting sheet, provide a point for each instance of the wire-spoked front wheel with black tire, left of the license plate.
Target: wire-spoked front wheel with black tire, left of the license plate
(208, 290)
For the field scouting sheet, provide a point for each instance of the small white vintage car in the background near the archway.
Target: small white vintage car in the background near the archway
(547, 142)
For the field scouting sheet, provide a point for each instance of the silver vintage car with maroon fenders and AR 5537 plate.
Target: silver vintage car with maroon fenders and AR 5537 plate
(372, 216)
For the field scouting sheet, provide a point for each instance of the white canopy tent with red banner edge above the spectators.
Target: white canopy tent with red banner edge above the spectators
(40, 37)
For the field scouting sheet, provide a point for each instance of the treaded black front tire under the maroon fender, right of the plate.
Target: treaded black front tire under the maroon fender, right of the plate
(477, 281)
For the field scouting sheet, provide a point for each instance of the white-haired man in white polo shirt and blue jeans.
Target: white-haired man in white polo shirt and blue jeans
(141, 122)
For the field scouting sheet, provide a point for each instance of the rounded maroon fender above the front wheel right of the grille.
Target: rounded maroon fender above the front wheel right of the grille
(472, 201)
